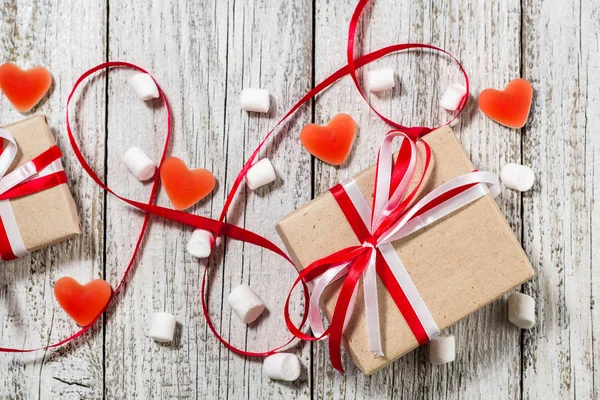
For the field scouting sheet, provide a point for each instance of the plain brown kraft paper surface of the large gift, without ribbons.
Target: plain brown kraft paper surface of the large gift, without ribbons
(458, 264)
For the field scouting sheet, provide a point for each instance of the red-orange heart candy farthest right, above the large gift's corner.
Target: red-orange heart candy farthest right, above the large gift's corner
(510, 106)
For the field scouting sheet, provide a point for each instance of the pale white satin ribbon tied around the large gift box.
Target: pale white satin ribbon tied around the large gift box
(385, 204)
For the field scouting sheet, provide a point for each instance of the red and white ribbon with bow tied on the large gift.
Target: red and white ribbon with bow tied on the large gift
(392, 217)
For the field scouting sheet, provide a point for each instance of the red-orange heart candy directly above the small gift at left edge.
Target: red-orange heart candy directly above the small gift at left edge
(24, 89)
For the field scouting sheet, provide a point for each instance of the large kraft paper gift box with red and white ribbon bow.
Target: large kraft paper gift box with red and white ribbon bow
(434, 249)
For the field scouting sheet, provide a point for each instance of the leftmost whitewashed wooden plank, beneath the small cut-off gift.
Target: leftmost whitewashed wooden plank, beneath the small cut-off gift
(66, 40)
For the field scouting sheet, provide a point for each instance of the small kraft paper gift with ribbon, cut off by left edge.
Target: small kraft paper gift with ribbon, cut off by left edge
(36, 206)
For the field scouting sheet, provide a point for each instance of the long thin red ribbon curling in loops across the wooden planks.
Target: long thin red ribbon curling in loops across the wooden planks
(219, 227)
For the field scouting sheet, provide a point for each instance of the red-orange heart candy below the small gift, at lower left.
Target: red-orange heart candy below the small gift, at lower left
(83, 303)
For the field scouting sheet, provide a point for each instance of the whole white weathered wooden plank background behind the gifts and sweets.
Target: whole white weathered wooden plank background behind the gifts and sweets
(203, 53)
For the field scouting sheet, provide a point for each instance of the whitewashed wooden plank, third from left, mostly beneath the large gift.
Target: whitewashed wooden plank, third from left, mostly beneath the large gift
(488, 347)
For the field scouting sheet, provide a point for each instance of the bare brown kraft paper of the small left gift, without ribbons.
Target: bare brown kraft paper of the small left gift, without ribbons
(48, 216)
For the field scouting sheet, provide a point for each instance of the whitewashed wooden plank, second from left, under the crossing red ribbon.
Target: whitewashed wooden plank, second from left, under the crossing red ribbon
(204, 53)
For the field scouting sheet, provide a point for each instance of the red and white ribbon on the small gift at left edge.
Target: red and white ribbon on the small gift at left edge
(41, 173)
